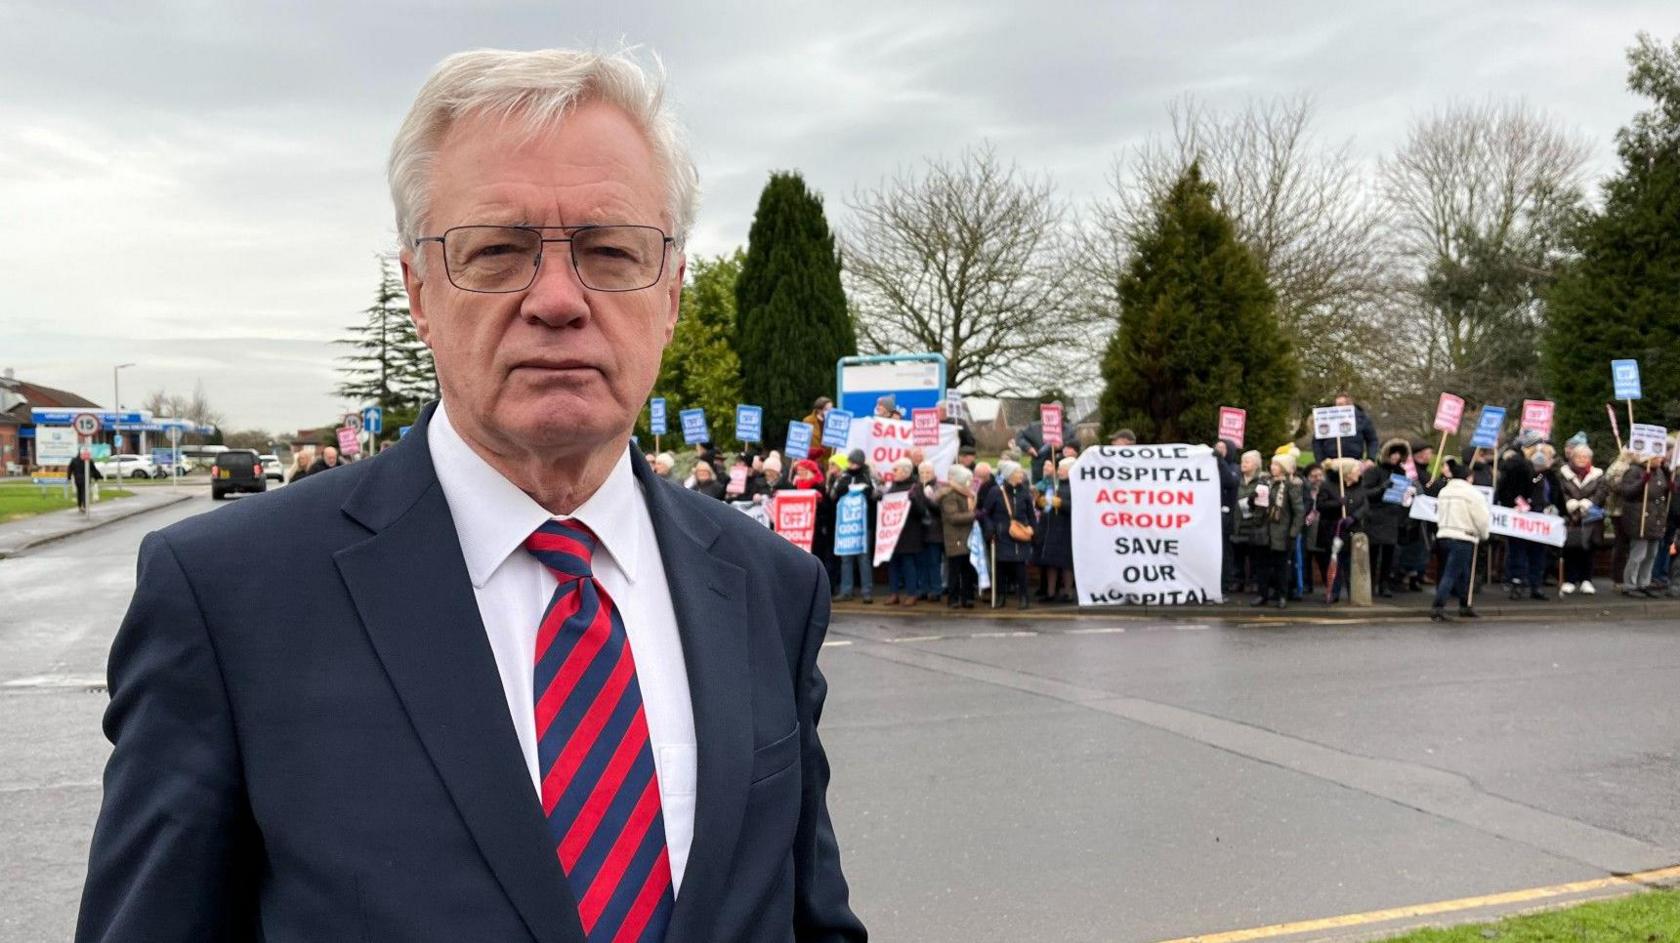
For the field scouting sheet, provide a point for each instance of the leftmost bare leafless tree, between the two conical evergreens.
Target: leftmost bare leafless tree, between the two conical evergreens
(975, 261)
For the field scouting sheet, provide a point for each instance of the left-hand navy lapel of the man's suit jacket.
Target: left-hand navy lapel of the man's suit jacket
(416, 601)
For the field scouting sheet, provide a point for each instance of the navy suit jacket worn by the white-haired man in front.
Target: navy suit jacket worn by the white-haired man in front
(312, 740)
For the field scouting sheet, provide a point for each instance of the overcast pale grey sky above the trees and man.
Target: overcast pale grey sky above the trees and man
(199, 187)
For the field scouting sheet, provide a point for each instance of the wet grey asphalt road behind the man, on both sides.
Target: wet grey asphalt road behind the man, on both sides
(1096, 779)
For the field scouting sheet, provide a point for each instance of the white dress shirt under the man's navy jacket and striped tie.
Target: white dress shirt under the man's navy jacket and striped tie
(493, 519)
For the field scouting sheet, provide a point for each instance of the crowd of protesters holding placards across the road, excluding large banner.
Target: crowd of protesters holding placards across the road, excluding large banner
(1289, 517)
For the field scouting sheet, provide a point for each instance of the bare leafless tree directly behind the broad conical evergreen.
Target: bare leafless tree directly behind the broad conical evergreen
(1299, 204)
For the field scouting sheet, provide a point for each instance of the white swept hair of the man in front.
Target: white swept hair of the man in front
(537, 90)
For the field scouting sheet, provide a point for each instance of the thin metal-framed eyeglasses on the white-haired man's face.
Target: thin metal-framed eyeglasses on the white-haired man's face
(507, 258)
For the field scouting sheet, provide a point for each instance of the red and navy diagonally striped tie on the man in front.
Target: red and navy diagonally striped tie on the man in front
(601, 791)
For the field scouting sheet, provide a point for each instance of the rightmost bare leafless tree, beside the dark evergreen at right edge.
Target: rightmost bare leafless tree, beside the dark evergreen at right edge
(1479, 198)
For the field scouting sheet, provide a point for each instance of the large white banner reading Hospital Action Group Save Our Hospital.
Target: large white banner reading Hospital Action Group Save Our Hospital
(1147, 525)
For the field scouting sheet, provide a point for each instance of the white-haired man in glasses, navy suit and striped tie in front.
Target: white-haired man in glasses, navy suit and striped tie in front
(501, 682)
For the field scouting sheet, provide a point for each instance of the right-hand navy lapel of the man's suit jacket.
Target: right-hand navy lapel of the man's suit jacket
(710, 601)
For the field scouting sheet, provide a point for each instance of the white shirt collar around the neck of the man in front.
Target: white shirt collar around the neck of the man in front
(493, 517)
